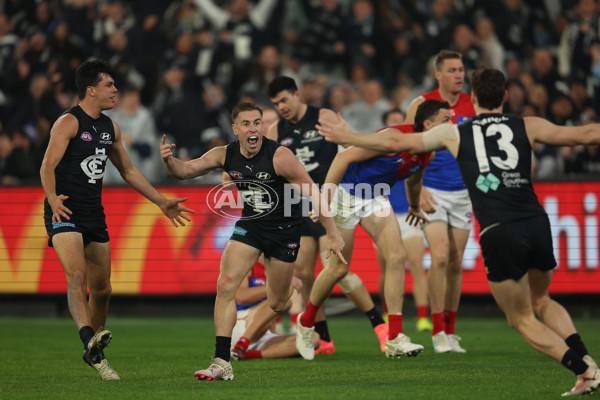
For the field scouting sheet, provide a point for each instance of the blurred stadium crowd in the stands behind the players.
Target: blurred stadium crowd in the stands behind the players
(181, 66)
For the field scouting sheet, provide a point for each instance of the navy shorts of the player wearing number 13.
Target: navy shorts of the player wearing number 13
(511, 249)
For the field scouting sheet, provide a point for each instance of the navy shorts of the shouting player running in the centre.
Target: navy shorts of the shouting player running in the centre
(281, 244)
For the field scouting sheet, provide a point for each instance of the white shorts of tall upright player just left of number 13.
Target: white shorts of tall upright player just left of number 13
(453, 208)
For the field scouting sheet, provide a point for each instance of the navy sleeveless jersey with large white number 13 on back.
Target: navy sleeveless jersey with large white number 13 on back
(494, 158)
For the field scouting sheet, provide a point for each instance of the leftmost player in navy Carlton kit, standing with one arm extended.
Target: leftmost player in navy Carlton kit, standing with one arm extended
(81, 141)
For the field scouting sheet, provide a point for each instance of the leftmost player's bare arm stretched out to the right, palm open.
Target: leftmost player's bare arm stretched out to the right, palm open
(171, 208)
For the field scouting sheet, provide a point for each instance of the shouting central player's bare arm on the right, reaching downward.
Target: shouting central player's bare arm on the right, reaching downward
(287, 165)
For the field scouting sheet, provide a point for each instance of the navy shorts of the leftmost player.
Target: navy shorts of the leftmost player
(91, 225)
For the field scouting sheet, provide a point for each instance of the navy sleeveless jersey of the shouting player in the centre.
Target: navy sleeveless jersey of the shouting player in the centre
(262, 190)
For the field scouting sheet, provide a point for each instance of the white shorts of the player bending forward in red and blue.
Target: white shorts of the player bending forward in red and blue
(348, 209)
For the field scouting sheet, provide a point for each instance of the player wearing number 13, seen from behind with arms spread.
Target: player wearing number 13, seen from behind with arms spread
(494, 154)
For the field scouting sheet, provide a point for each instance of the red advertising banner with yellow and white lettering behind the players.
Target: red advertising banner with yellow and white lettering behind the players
(150, 256)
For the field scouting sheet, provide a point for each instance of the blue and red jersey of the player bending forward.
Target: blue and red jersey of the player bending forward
(361, 178)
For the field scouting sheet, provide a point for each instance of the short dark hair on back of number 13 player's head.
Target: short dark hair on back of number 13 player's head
(488, 85)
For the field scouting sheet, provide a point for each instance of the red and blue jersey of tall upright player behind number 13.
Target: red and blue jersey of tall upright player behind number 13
(443, 172)
